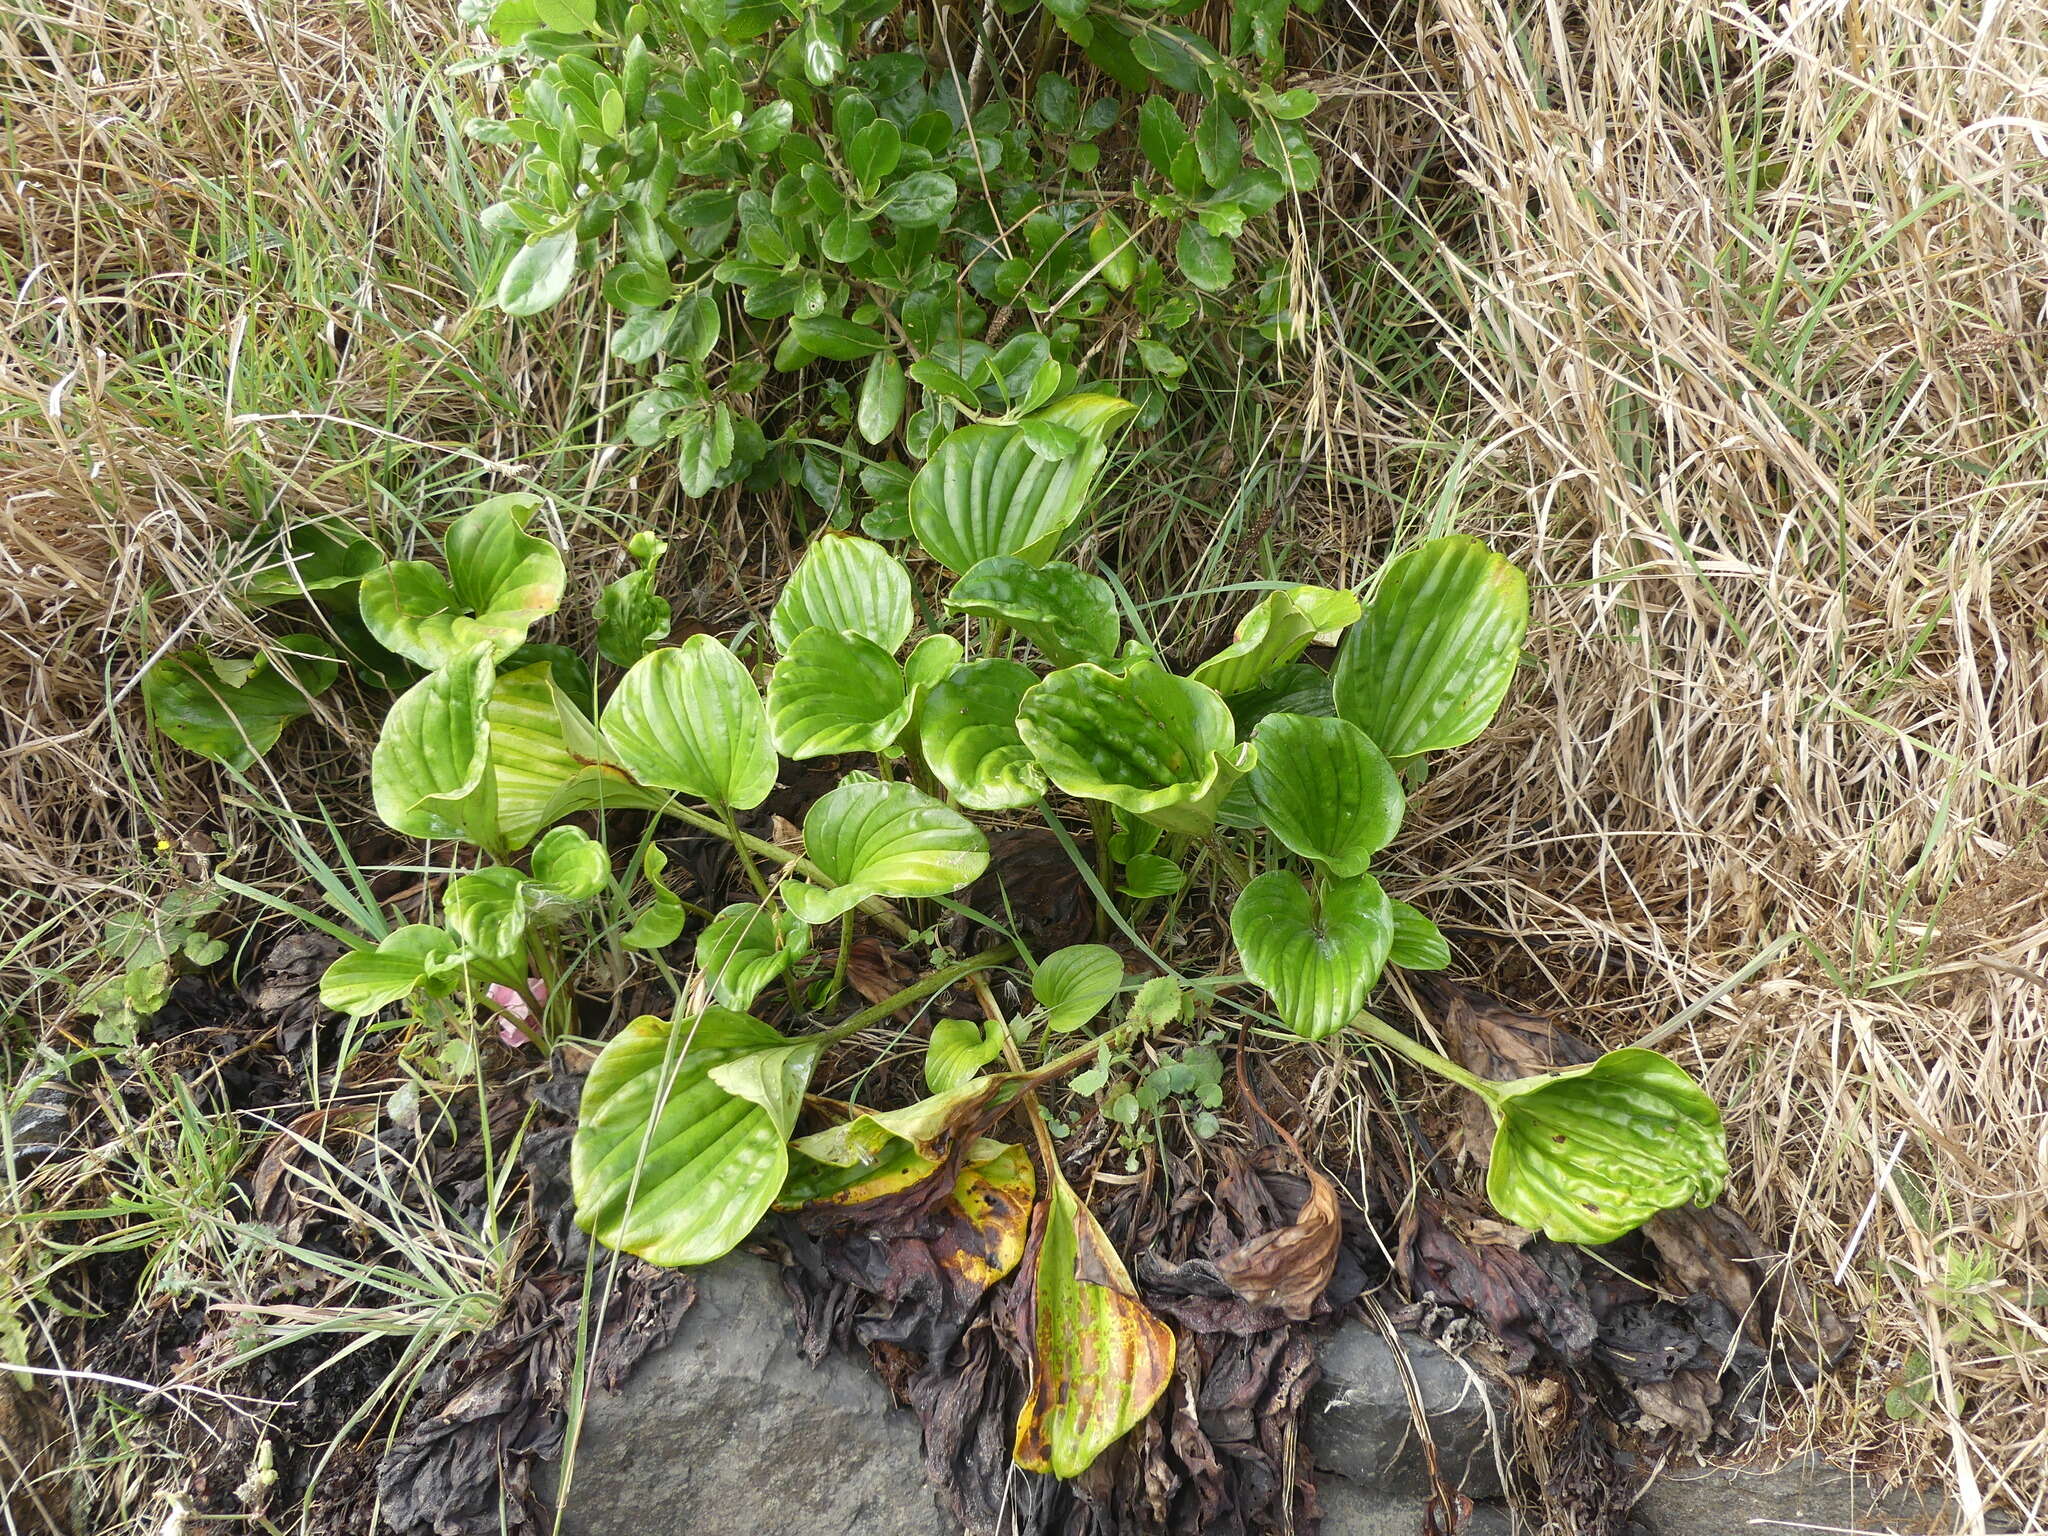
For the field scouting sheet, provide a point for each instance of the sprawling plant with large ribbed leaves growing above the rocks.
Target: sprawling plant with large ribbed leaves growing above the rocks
(1019, 685)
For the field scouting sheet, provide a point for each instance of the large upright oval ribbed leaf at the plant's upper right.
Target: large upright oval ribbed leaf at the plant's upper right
(1437, 648)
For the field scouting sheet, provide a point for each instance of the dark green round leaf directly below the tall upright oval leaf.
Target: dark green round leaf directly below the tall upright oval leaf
(1326, 792)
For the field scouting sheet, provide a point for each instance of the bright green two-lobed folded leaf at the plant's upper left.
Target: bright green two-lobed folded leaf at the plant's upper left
(501, 583)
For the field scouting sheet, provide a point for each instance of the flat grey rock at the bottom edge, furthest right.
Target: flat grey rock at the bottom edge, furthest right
(1803, 1492)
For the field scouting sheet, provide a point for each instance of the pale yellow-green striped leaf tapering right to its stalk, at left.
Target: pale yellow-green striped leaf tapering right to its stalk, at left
(550, 761)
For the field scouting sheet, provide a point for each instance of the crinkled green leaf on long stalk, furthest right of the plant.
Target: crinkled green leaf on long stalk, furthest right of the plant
(1590, 1154)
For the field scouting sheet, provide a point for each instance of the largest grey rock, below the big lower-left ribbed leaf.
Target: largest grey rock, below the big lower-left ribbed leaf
(730, 1433)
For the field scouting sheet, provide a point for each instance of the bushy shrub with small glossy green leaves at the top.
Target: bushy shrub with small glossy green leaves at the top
(814, 232)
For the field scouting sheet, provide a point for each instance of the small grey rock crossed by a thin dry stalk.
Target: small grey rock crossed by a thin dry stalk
(1361, 1426)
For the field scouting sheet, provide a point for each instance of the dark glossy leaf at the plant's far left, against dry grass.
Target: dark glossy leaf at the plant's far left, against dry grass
(234, 712)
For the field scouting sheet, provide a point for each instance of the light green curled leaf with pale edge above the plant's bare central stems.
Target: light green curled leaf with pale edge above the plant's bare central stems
(884, 841)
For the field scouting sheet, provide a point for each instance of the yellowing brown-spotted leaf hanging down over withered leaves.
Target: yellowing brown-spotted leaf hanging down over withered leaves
(1099, 1357)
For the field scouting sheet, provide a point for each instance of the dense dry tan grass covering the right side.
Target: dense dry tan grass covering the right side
(1748, 318)
